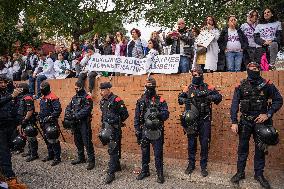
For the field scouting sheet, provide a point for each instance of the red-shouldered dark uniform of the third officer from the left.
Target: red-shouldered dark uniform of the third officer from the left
(50, 110)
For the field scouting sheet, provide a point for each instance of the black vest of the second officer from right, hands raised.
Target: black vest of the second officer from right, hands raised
(198, 96)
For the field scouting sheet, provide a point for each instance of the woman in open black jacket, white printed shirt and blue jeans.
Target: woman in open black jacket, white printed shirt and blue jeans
(232, 42)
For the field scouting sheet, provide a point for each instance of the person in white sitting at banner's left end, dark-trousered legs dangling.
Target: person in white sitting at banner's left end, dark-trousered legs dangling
(87, 70)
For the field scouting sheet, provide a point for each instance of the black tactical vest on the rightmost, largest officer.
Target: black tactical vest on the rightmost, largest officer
(252, 97)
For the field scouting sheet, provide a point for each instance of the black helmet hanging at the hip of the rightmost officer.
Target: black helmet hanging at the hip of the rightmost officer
(267, 134)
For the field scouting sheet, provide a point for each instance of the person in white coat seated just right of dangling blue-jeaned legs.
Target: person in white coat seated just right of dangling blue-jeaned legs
(61, 66)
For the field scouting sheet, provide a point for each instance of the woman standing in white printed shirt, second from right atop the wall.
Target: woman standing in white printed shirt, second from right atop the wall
(248, 28)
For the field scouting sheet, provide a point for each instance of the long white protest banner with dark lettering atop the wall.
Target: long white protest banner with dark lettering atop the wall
(166, 64)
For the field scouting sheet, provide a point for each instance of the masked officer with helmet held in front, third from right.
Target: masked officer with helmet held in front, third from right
(150, 113)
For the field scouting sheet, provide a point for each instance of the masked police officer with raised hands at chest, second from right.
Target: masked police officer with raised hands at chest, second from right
(199, 95)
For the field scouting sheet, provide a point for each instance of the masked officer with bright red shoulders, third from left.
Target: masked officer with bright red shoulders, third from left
(50, 110)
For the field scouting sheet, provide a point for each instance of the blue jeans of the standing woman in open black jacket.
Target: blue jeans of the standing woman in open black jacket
(234, 61)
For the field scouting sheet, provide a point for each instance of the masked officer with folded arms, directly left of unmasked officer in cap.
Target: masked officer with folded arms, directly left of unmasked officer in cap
(79, 111)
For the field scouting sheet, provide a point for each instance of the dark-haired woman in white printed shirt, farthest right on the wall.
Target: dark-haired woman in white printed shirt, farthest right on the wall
(267, 34)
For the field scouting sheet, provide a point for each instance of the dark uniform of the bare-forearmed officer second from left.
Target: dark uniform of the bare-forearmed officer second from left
(27, 104)
